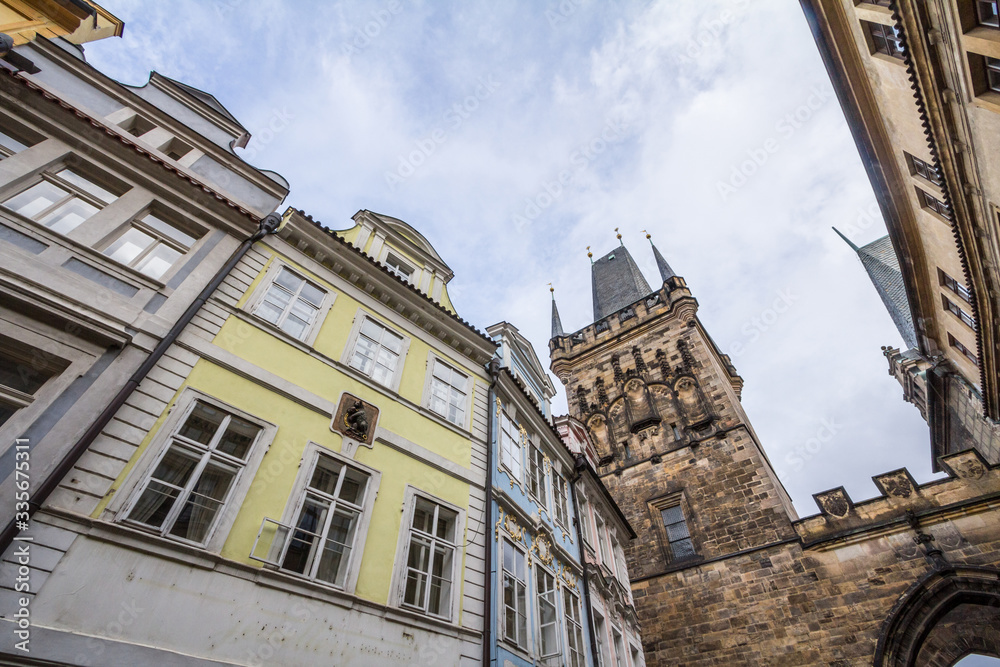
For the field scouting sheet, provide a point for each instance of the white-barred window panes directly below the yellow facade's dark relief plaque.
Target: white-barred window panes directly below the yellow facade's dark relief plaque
(327, 523)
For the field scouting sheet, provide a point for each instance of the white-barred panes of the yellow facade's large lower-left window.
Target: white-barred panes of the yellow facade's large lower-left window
(191, 482)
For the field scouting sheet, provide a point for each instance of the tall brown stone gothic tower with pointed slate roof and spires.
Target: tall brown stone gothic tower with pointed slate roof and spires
(662, 405)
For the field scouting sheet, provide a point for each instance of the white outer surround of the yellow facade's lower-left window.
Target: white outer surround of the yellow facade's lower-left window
(160, 445)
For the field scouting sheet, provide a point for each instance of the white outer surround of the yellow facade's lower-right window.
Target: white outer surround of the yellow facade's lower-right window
(399, 574)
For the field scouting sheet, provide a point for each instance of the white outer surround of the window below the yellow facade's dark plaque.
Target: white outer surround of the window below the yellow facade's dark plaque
(310, 458)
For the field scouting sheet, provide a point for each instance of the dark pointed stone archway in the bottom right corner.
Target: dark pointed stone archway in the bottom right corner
(946, 616)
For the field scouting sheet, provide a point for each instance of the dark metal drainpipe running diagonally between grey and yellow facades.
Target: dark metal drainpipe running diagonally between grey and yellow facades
(269, 225)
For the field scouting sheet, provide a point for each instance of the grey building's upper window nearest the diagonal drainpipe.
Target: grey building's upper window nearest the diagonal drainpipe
(150, 246)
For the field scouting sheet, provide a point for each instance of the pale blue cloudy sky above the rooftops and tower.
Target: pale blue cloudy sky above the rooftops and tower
(514, 134)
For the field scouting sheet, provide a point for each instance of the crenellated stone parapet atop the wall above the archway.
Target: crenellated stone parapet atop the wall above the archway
(903, 504)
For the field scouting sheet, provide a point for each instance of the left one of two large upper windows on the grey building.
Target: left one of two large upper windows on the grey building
(62, 200)
